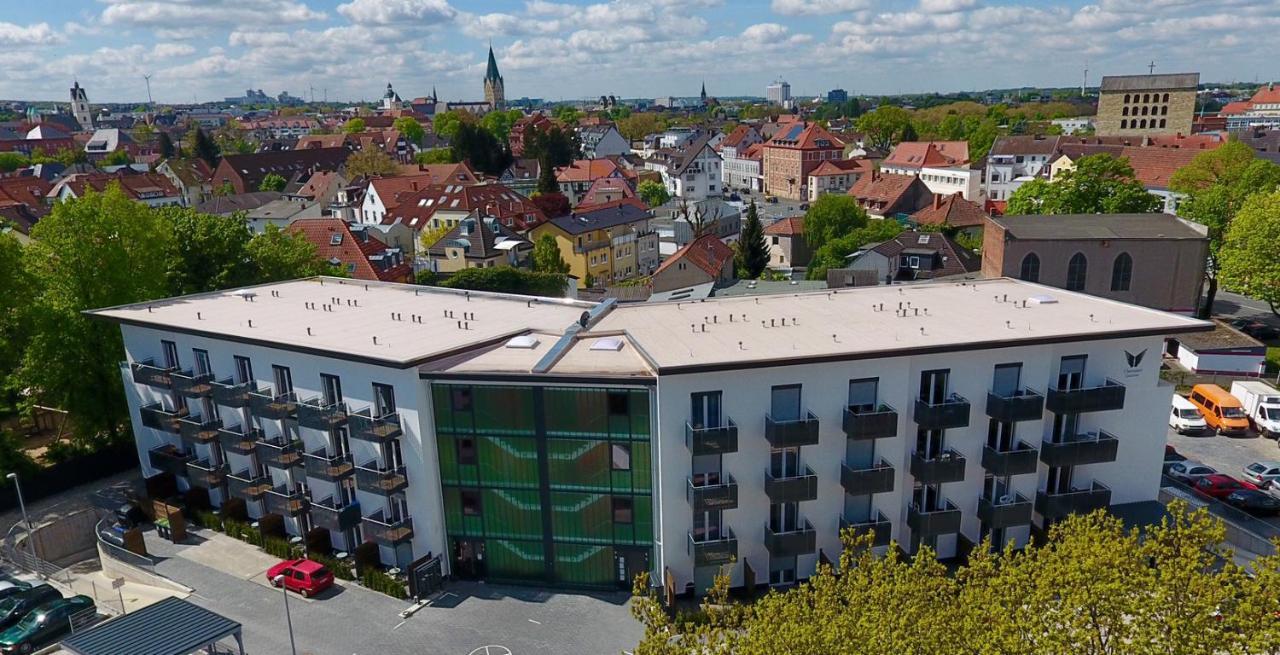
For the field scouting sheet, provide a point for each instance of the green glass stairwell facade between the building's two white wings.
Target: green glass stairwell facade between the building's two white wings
(550, 484)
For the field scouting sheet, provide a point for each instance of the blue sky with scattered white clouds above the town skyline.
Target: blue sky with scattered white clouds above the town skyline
(573, 49)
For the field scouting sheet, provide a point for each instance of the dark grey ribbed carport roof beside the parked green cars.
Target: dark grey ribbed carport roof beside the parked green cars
(170, 627)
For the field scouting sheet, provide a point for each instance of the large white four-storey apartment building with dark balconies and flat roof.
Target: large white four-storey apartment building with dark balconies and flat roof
(569, 443)
